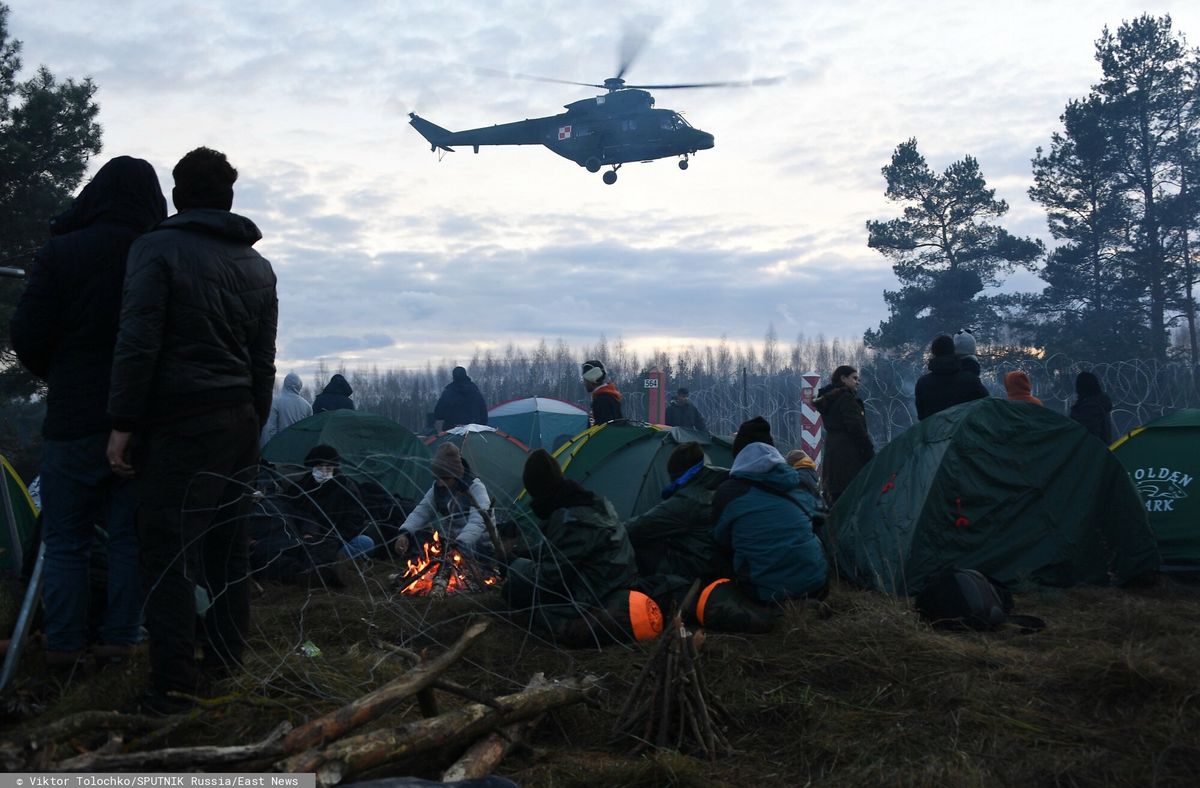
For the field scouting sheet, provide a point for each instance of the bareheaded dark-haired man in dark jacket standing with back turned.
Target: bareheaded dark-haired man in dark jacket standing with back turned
(193, 380)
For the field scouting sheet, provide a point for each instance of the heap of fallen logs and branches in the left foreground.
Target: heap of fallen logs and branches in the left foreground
(326, 745)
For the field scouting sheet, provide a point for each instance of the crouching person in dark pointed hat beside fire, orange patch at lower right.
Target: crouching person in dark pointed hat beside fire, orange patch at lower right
(575, 585)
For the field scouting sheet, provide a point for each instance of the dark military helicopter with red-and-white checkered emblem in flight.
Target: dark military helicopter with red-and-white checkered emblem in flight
(610, 130)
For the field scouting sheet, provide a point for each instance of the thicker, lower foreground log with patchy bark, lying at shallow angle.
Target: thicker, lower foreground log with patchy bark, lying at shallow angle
(356, 755)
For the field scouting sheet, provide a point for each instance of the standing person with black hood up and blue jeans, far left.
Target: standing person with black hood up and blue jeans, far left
(64, 332)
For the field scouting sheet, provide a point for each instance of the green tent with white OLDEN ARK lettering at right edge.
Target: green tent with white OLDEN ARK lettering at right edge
(1163, 460)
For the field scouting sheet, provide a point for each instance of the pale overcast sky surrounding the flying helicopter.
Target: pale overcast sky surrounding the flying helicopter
(388, 256)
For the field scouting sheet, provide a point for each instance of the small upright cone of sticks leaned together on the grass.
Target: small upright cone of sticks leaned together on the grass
(671, 703)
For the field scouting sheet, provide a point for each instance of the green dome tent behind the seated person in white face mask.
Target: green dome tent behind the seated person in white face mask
(374, 449)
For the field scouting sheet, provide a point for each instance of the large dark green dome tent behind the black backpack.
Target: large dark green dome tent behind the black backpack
(1010, 489)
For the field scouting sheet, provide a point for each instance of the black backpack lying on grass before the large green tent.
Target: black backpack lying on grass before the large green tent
(970, 600)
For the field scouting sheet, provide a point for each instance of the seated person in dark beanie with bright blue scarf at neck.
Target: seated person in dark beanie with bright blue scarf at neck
(676, 537)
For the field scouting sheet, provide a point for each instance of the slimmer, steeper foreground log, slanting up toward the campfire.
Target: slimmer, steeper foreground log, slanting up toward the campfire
(375, 705)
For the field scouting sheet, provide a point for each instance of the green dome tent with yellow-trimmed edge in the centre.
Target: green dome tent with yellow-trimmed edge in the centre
(628, 464)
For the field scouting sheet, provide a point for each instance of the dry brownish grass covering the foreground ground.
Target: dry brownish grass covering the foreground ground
(855, 691)
